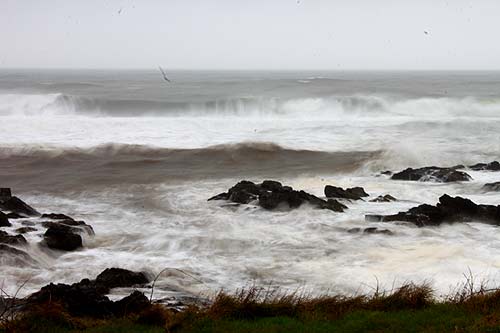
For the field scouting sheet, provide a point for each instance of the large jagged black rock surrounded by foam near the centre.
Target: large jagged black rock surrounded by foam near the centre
(271, 194)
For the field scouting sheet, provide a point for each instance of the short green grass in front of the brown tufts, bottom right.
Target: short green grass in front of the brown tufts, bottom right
(438, 318)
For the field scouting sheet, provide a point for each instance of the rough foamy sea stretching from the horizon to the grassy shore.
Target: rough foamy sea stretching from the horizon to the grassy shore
(138, 158)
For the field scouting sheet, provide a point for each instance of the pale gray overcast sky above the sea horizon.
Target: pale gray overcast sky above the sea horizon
(251, 34)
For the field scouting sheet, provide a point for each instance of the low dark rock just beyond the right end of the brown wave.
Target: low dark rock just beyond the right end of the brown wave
(444, 175)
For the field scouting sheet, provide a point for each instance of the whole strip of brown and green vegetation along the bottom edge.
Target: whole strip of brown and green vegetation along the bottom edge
(410, 308)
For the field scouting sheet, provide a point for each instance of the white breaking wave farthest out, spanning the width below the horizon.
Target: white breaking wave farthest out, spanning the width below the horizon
(324, 106)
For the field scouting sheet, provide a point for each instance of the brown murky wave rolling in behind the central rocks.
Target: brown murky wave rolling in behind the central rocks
(59, 169)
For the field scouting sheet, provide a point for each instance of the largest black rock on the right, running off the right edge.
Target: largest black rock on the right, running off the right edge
(447, 210)
